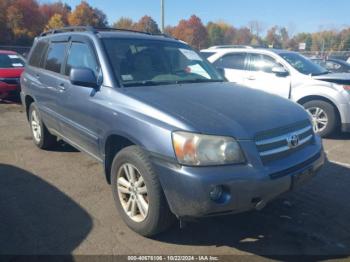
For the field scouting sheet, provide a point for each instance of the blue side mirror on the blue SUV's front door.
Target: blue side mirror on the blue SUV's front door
(83, 77)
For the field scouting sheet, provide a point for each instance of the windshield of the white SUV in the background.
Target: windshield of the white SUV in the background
(303, 64)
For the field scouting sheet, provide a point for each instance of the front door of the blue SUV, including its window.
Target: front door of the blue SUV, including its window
(80, 105)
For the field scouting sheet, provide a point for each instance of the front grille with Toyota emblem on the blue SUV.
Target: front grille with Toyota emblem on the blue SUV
(274, 144)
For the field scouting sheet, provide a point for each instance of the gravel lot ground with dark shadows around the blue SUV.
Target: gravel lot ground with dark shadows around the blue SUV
(58, 202)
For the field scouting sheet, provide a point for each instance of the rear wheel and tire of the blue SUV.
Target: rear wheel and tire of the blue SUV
(41, 136)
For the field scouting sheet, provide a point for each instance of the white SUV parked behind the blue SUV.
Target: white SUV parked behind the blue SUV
(290, 75)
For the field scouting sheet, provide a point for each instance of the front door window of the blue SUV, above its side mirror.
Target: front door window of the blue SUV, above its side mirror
(81, 55)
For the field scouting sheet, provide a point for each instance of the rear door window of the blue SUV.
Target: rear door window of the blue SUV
(55, 57)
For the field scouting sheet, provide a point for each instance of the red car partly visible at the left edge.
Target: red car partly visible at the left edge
(11, 68)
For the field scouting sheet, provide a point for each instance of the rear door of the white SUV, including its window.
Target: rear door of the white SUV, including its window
(235, 67)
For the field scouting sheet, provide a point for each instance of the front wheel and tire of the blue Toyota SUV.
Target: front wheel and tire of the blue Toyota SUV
(138, 194)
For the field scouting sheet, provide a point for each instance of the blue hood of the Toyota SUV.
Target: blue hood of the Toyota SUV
(221, 108)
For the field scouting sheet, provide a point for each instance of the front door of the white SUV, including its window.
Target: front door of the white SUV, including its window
(261, 77)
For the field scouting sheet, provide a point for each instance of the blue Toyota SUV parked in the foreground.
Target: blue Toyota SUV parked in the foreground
(176, 140)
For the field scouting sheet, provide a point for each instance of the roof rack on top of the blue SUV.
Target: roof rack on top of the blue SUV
(93, 30)
